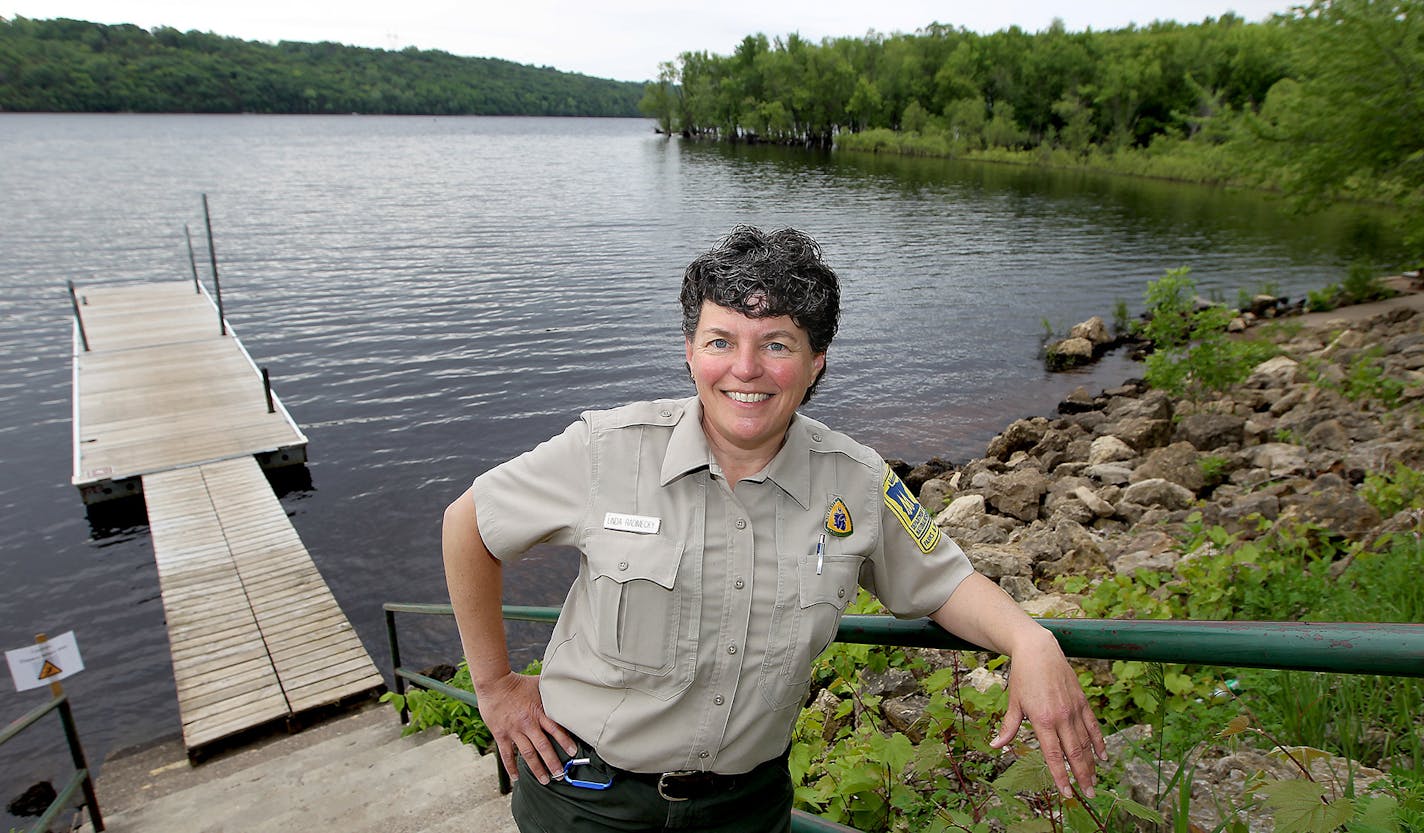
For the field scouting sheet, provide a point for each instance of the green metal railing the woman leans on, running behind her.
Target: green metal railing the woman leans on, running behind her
(1389, 650)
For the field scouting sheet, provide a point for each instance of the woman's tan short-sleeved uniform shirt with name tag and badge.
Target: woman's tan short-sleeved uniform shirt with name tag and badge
(689, 637)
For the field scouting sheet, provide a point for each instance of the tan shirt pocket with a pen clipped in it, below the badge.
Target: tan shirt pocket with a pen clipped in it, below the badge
(805, 624)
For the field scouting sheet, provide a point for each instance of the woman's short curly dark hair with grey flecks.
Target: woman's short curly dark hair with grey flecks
(767, 276)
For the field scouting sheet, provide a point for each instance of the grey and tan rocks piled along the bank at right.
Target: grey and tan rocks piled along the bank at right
(1110, 485)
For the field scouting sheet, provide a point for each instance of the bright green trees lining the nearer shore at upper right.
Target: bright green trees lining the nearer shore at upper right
(1325, 102)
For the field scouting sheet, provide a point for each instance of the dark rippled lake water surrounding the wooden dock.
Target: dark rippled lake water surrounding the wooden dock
(435, 295)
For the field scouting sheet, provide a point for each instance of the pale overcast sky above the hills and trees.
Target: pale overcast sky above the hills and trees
(612, 39)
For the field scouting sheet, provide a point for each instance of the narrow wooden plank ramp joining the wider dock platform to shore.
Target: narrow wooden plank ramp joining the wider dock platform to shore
(256, 633)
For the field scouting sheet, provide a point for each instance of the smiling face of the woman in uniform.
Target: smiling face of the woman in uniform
(751, 375)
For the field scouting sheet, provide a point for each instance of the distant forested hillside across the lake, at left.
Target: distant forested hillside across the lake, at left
(76, 66)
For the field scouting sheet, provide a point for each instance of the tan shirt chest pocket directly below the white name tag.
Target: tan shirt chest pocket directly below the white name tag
(639, 609)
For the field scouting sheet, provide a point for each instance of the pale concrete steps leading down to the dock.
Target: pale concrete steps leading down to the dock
(361, 778)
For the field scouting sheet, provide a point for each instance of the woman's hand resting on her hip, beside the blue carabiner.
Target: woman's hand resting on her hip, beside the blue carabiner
(515, 713)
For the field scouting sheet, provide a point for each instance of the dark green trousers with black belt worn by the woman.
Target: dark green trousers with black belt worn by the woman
(761, 802)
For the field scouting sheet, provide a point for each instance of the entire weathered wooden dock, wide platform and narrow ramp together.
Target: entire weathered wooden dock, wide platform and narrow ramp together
(167, 407)
